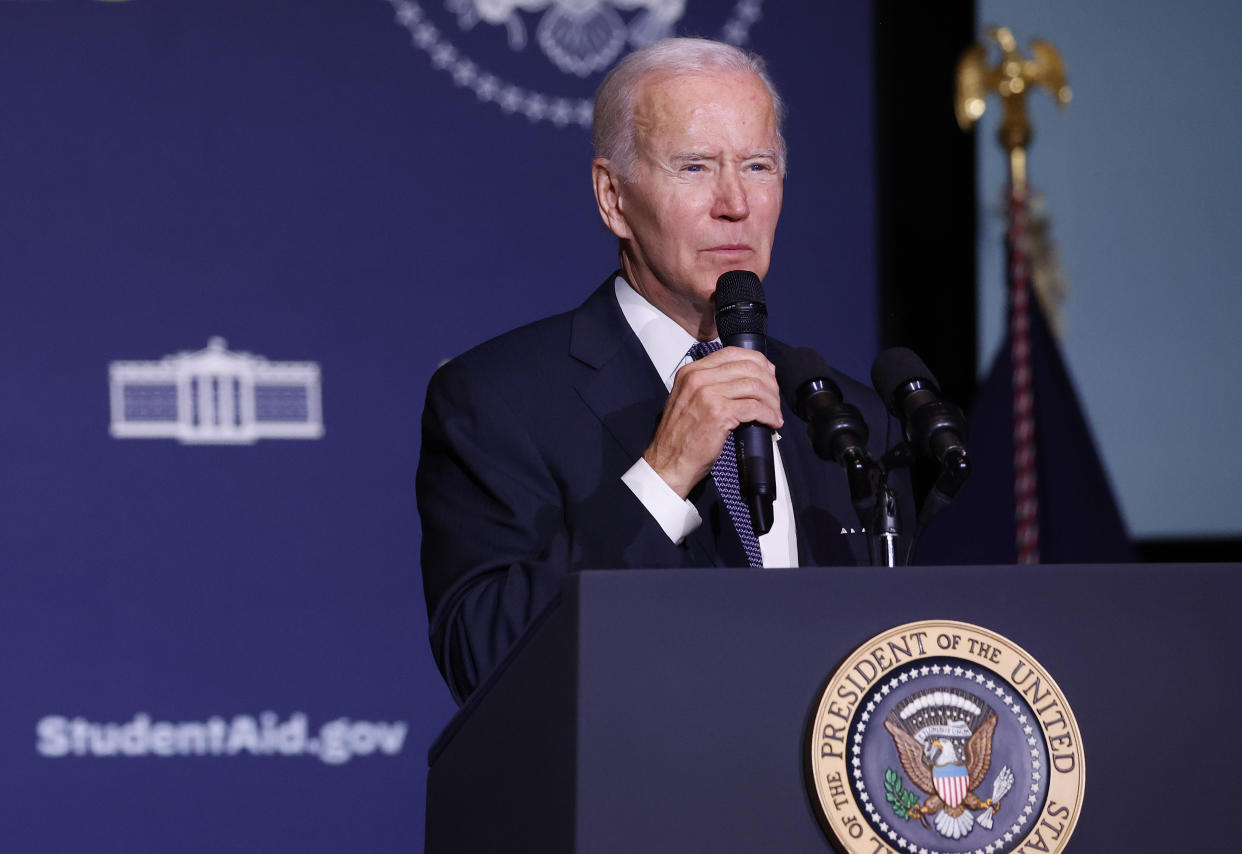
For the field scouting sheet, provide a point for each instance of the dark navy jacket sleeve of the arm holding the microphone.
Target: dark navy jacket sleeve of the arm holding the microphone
(515, 490)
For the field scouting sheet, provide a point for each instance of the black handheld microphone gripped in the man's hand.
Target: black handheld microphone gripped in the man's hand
(742, 321)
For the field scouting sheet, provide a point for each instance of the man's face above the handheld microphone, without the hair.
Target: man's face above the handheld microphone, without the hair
(706, 193)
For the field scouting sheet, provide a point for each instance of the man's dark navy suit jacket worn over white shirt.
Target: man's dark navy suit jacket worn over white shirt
(525, 443)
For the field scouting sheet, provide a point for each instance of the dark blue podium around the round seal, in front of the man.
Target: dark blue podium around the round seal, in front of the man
(669, 711)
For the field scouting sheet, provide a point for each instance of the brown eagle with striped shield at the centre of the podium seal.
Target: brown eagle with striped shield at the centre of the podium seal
(931, 754)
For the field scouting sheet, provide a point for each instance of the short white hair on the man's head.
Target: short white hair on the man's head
(614, 130)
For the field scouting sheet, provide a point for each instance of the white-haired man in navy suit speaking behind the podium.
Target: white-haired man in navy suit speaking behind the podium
(592, 439)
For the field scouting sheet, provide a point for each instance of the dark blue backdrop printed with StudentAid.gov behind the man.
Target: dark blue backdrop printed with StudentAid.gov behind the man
(214, 639)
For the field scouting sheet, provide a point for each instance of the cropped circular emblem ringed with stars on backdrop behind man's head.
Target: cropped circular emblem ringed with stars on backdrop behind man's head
(579, 39)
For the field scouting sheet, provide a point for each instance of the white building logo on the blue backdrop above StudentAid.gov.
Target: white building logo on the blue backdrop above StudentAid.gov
(215, 397)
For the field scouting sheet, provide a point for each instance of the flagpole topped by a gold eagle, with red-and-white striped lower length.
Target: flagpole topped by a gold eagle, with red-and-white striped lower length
(1012, 79)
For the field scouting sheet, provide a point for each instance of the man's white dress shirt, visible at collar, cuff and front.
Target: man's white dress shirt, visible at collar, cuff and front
(668, 347)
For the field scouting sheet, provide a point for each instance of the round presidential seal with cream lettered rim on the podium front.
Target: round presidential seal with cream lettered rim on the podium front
(945, 738)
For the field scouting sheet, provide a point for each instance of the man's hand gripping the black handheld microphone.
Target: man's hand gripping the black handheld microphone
(710, 399)
